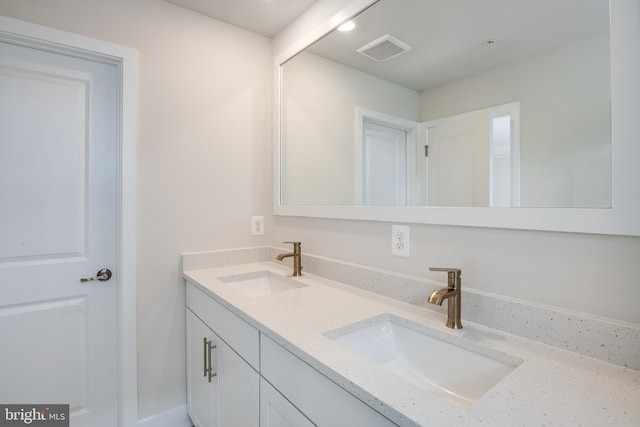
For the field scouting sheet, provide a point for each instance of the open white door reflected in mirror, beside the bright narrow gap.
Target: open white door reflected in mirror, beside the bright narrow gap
(458, 172)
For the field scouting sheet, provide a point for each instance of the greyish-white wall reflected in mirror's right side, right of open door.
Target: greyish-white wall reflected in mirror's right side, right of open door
(565, 130)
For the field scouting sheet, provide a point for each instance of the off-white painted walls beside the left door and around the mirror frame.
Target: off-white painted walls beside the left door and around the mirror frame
(204, 166)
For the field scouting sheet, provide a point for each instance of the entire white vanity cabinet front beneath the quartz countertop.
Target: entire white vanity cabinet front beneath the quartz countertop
(257, 382)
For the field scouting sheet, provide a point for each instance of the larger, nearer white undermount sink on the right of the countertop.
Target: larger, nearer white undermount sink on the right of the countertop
(435, 364)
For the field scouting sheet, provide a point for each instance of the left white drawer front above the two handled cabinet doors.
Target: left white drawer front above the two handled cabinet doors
(238, 334)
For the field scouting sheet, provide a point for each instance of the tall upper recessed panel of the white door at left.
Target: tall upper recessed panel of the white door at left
(50, 174)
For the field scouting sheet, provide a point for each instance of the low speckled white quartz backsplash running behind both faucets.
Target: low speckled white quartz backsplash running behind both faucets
(600, 338)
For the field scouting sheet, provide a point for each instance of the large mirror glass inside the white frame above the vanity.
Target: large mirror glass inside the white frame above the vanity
(452, 103)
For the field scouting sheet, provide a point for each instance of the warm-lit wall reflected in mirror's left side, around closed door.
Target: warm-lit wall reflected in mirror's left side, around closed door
(319, 103)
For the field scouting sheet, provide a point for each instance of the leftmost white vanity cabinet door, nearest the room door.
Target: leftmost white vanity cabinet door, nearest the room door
(201, 394)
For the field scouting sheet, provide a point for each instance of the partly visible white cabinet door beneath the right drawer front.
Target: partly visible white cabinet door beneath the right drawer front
(276, 411)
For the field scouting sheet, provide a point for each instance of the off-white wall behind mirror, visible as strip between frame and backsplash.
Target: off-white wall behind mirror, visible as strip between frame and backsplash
(596, 274)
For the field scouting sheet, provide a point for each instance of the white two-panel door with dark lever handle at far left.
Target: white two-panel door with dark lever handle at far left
(58, 139)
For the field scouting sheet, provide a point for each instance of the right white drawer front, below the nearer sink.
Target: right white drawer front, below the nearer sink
(321, 400)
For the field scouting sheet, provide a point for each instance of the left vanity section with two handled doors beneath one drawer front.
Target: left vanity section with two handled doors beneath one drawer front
(227, 395)
